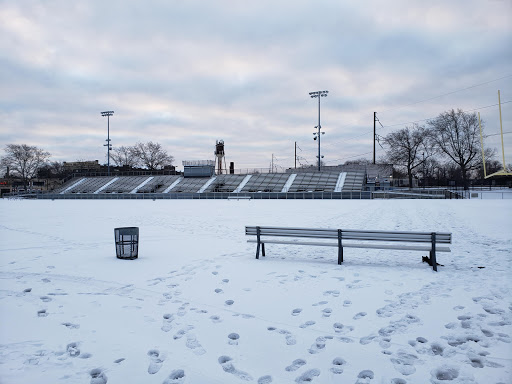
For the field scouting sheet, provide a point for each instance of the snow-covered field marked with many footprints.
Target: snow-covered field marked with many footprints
(197, 307)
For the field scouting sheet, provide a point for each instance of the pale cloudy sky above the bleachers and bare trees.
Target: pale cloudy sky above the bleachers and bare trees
(187, 73)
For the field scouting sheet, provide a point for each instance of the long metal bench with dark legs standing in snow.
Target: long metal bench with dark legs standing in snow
(399, 240)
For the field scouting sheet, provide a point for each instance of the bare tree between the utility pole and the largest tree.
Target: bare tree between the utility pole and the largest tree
(408, 148)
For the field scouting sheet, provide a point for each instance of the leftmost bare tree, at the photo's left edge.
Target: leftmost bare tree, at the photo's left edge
(24, 160)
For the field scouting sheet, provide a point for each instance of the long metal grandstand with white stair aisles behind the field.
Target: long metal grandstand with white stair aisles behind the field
(306, 185)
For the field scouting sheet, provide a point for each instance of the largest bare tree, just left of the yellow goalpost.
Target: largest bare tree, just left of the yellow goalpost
(456, 134)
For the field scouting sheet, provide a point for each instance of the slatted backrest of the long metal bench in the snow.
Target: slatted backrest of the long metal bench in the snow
(351, 234)
